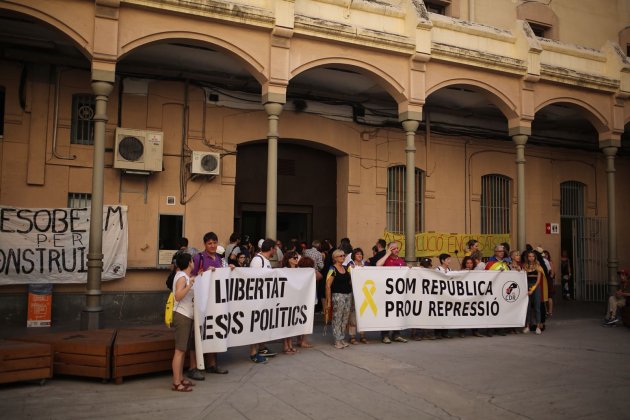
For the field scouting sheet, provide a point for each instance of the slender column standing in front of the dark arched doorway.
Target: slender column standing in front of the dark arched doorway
(273, 111)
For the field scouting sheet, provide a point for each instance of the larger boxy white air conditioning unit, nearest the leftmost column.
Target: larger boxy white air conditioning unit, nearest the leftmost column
(138, 151)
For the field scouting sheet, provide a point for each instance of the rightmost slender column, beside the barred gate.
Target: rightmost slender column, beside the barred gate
(613, 282)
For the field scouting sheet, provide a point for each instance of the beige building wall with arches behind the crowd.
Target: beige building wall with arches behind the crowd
(33, 177)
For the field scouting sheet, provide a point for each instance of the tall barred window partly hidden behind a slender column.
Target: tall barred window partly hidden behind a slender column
(396, 199)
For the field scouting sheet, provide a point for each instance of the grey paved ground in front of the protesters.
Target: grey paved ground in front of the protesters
(576, 369)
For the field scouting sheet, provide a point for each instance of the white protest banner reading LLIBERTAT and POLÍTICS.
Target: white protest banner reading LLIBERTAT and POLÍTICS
(253, 305)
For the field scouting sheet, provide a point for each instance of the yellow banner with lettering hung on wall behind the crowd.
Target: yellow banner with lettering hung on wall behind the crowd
(432, 244)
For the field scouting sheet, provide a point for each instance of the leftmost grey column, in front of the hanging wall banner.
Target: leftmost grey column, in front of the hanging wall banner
(90, 317)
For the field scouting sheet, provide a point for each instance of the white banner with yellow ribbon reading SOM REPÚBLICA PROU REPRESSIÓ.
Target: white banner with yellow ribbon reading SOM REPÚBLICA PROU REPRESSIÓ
(394, 298)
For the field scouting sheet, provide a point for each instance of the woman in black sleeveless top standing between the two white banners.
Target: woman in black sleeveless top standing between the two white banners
(339, 289)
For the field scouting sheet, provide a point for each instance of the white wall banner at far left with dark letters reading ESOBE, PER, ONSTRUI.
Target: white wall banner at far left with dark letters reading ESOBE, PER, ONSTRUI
(50, 245)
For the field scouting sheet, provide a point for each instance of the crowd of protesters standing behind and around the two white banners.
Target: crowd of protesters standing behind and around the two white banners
(333, 265)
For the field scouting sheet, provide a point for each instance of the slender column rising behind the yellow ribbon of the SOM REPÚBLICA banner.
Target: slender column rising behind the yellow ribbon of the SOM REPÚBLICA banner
(410, 127)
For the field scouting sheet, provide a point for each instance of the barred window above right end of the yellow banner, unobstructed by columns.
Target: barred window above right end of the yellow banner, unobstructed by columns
(495, 204)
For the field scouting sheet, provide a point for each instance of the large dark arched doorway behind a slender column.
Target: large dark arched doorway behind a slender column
(307, 192)
